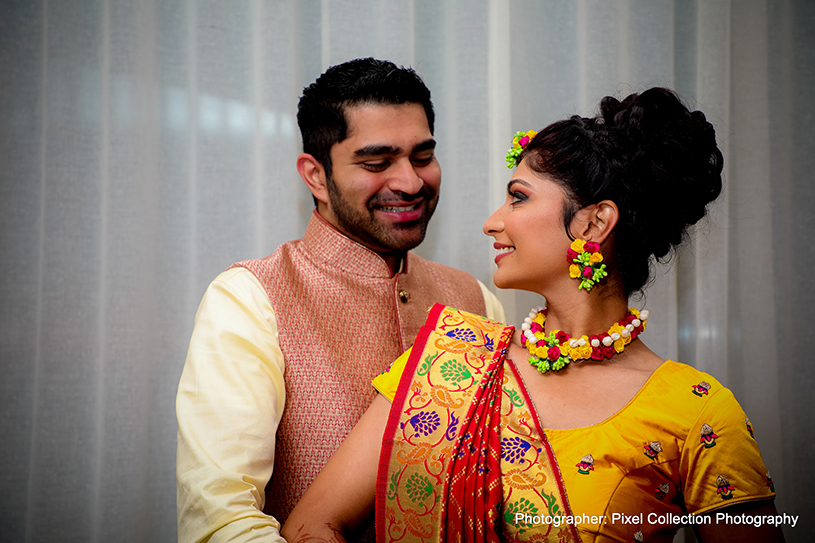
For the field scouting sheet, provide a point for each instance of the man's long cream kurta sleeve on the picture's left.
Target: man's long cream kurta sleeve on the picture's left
(230, 400)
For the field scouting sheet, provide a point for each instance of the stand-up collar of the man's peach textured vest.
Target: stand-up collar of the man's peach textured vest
(333, 248)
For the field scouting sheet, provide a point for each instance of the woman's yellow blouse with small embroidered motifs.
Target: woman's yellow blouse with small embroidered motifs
(681, 445)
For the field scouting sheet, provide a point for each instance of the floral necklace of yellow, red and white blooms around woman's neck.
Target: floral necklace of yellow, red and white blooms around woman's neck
(558, 349)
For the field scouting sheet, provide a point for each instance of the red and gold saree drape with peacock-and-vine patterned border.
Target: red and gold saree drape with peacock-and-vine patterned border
(461, 457)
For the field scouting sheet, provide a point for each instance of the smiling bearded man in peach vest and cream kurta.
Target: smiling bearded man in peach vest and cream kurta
(309, 326)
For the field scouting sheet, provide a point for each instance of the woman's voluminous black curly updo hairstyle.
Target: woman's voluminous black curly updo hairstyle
(650, 155)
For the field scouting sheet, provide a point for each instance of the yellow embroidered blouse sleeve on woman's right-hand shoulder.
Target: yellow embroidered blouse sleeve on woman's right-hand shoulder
(721, 463)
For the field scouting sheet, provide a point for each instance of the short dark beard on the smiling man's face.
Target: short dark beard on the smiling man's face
(367, 229)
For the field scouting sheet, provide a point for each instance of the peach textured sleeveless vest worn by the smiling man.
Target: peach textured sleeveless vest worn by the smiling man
(342, 320)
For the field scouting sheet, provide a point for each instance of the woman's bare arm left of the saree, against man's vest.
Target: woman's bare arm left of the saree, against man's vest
(342, 495)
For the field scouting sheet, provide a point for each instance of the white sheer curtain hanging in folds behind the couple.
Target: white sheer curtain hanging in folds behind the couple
(145, 145)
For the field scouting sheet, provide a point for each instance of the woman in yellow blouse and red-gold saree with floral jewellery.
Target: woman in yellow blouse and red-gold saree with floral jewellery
(570, 428)
